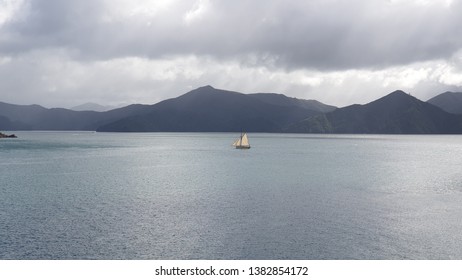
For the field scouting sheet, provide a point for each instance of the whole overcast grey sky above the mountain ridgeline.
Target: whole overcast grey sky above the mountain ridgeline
(117, 52)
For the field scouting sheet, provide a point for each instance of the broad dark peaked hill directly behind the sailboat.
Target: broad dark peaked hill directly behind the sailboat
(214, 110)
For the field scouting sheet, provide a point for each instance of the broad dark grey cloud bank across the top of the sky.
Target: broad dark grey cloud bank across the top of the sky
(300, 34)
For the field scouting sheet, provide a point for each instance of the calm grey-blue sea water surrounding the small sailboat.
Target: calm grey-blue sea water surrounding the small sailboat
(105, 196)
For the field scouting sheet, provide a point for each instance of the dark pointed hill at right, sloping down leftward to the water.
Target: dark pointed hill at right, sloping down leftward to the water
(395, 113)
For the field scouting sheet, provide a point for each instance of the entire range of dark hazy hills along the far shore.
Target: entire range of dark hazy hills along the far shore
(207, 109)
